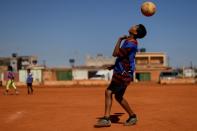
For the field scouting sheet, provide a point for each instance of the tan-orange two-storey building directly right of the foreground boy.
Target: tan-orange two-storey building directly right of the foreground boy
(149, 65)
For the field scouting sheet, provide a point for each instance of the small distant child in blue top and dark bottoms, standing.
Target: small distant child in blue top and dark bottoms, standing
(29, 82)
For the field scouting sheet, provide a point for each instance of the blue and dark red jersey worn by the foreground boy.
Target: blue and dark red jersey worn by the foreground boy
(125, 62)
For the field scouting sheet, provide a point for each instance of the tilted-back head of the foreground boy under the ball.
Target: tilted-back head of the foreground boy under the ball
(138, 31)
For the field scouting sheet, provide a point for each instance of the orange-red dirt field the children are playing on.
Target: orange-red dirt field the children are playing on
(159, 108)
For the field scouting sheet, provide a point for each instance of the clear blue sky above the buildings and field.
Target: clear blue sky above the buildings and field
(58, 30)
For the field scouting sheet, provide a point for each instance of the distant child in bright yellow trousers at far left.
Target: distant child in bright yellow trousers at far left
(10, 81)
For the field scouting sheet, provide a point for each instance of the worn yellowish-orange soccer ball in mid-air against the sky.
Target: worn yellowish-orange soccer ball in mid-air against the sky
(148, 8)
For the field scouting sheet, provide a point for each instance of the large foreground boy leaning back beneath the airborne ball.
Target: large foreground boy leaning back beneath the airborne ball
(122, 74)
